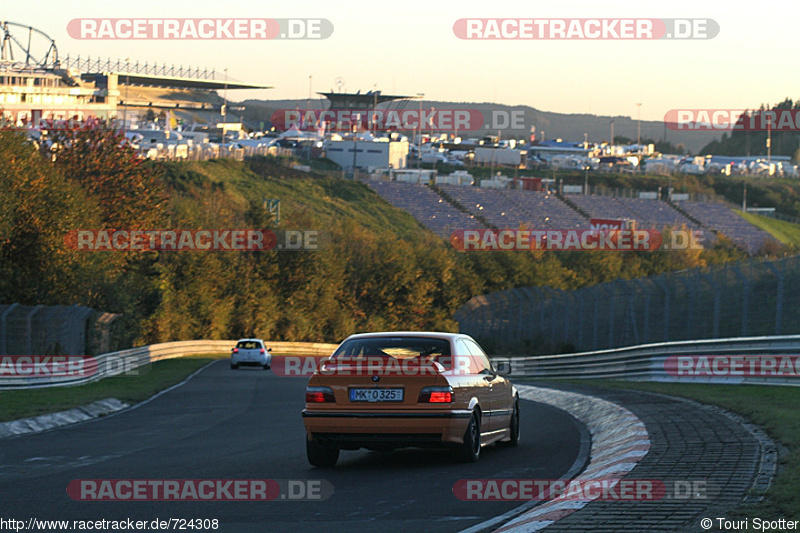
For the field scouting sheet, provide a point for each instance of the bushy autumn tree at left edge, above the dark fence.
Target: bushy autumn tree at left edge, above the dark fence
(40, 207)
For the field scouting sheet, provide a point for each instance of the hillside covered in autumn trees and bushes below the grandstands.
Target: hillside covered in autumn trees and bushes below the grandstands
(381, 271)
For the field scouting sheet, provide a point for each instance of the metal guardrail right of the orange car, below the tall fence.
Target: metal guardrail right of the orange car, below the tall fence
(648, 362)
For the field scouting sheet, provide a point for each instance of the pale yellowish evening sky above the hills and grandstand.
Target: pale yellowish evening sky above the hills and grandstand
(410, 47)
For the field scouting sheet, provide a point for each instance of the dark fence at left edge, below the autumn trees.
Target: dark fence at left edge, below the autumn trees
(54, 330)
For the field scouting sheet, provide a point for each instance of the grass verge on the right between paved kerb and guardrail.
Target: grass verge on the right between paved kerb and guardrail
(774, 409)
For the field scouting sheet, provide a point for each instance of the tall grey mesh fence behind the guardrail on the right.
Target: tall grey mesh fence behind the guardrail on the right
(733, 300)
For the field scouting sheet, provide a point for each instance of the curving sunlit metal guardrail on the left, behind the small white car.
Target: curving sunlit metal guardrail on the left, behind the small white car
(115, 363)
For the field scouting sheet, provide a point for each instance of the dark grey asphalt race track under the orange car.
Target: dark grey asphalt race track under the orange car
(246, 424)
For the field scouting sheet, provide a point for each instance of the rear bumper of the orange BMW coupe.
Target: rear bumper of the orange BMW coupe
(364, 428)
